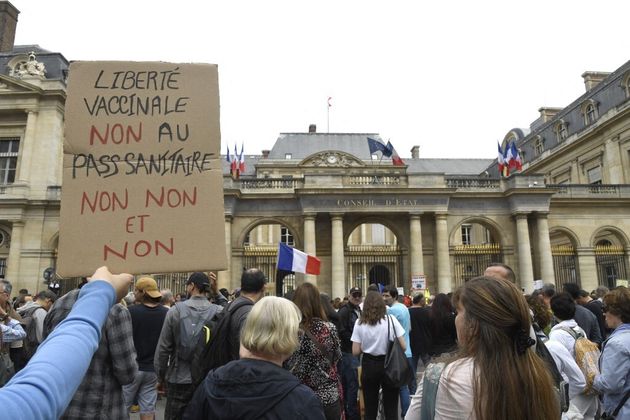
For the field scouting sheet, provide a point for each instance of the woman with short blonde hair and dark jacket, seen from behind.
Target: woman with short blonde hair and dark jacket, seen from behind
(256, 386)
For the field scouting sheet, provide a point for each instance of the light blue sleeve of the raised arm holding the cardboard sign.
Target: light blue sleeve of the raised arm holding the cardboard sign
(43, 389)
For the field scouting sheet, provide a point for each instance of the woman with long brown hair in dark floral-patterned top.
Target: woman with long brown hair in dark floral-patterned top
(314, 362)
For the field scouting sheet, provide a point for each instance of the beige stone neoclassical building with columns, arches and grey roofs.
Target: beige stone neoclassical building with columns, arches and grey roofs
(564, 218)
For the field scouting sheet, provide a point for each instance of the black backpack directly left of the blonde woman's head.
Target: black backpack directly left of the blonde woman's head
(213, 347)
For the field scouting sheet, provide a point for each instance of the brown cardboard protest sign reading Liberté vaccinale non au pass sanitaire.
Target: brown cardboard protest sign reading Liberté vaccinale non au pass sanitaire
(142, 183)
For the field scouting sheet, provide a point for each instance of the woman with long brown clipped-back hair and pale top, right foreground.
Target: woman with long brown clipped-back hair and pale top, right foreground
(496, 374)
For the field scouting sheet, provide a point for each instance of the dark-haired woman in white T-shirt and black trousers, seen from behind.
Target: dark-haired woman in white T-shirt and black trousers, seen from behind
(371, 335)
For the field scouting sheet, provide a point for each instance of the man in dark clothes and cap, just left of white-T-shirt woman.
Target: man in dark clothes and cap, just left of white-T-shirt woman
(348, 315)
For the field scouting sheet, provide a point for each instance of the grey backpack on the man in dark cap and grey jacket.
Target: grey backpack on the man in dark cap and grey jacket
(191, 323)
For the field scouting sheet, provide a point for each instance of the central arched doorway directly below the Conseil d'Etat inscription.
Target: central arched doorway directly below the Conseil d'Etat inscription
(372, 256)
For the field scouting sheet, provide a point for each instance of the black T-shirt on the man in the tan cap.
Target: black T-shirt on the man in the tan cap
(147, 325)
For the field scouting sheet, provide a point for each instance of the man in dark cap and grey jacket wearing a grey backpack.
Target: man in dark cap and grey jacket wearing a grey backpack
(171, 366)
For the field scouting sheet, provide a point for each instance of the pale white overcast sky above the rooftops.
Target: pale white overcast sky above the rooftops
(450, 76)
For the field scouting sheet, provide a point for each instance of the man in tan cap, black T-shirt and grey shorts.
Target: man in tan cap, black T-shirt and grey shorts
(147, 318)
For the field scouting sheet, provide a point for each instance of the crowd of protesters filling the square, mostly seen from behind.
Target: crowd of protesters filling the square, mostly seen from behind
(486, 351)
